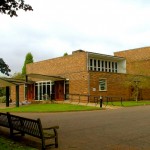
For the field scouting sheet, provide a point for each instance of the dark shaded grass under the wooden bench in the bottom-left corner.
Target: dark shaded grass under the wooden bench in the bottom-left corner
(8, 144)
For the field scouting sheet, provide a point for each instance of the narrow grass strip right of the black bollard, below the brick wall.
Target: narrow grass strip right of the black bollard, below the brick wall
(128, 103)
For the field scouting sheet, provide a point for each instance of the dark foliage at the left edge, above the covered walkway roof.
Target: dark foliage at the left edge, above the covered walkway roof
(4, 68)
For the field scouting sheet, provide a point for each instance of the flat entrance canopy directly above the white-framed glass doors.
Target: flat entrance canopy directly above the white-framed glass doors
(45, 77)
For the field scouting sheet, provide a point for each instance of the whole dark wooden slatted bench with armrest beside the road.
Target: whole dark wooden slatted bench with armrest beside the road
(22, 126)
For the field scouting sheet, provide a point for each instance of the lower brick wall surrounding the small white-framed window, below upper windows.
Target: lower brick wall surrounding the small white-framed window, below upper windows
(115, 86)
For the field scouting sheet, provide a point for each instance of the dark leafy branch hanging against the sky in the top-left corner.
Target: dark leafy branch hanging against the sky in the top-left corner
(10, 7)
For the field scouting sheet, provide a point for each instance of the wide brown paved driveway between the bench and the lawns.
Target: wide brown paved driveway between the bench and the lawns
(116, 129)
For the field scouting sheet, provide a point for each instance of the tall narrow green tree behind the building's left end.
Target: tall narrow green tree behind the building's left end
(28, 60)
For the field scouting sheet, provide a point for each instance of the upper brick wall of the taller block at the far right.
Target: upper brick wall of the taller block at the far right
(138, 60)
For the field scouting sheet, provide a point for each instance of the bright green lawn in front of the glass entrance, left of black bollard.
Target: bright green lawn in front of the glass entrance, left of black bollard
(49, 108)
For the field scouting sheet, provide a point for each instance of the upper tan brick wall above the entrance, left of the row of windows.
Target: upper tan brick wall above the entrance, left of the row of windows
(76, 62)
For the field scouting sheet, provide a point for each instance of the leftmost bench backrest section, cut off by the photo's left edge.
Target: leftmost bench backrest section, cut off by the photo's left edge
(4, 120)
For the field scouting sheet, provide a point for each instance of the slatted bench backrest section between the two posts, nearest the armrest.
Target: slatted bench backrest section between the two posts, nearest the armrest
(26, 125)
